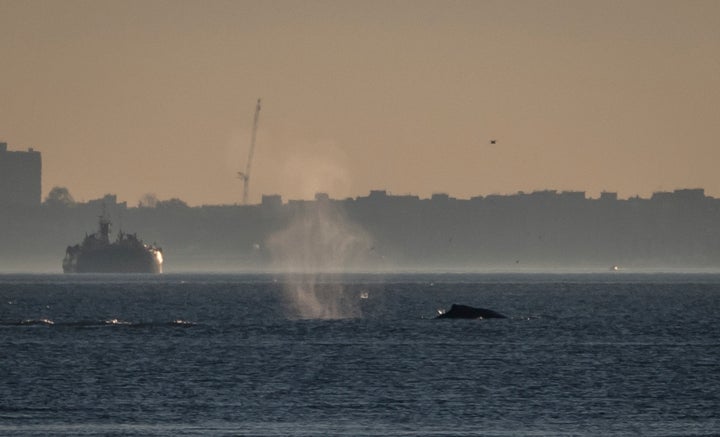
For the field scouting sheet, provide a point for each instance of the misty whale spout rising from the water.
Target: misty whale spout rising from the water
(317, 246)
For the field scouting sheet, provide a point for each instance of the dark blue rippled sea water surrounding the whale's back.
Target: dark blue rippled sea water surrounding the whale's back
(614, 354)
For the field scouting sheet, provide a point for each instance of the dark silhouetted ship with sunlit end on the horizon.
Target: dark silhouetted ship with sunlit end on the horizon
(127, 254)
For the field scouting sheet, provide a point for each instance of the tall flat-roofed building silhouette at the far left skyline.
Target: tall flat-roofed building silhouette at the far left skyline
(20, 177)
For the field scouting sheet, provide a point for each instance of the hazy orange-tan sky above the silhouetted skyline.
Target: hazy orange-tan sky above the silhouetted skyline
(135, 97)
